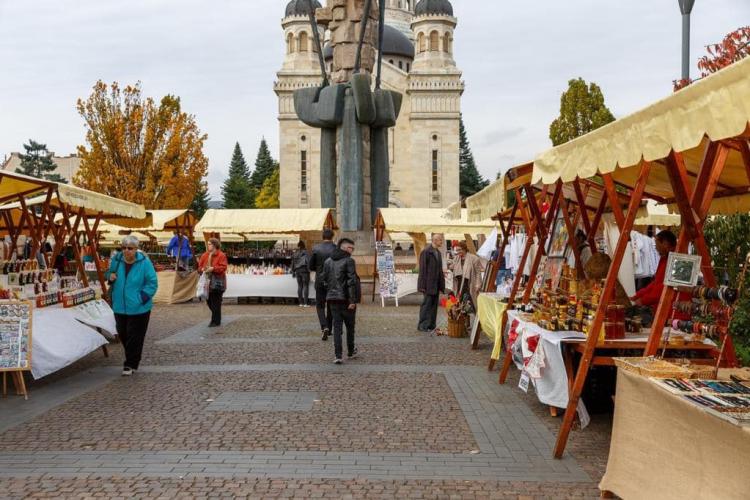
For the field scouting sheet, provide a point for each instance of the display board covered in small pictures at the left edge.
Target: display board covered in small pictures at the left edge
(15, 335)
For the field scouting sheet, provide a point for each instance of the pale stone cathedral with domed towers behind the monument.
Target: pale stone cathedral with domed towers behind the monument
(417, 62)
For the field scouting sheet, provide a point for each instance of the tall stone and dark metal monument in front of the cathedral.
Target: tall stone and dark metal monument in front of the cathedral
(353, 116)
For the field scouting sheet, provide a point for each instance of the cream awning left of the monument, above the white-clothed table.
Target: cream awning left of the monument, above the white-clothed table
(265, 221)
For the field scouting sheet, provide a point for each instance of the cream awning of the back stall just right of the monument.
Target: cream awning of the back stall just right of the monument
(430, 220)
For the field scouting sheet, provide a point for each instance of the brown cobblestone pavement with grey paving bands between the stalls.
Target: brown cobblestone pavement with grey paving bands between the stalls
(256, 409)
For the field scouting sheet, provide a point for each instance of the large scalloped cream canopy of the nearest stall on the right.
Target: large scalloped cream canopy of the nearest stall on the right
(715, 108)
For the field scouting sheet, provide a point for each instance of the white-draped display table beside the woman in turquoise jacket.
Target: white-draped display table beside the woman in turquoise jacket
(62, 336)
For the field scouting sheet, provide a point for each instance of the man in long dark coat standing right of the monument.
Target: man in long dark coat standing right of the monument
(431, 283)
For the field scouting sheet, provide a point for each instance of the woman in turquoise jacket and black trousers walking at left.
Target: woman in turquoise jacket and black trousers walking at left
(133, 285)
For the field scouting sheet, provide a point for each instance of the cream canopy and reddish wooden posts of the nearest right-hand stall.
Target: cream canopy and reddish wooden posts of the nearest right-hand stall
(690, 152)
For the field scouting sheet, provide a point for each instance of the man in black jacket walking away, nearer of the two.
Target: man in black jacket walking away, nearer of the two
(344, 293)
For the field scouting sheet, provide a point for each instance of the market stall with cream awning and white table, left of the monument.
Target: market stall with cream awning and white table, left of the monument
(264, 272)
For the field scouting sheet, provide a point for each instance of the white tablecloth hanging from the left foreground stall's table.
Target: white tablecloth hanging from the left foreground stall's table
(59, 339)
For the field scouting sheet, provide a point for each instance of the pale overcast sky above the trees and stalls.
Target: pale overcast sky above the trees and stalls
(220, 57)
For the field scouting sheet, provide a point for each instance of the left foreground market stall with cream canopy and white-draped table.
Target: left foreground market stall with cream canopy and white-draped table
(65, 316)
